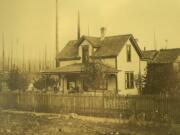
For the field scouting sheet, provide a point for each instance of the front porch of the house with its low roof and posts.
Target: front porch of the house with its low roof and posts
(71, 79)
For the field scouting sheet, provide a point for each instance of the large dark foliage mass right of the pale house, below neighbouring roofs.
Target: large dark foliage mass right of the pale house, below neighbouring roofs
(161, 79)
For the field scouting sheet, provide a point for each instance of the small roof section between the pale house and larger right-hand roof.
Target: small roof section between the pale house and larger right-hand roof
(149, 54)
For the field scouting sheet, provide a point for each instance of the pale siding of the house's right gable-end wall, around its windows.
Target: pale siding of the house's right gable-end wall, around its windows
(125, 66)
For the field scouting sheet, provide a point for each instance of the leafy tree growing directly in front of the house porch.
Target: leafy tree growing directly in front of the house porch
(94, 77)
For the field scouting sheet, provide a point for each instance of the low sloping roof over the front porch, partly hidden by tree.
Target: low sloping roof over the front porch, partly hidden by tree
(77, 68)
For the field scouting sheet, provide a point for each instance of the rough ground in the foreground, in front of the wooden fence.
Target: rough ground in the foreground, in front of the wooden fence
(26, 123)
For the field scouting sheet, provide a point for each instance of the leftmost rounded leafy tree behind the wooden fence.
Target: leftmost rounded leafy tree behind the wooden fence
(17, 80)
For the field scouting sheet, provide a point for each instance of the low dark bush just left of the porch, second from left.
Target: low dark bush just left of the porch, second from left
(44, 82)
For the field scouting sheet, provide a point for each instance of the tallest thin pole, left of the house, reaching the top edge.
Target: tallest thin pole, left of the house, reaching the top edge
(57, 42)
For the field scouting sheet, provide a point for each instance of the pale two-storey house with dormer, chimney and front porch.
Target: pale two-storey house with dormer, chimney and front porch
(121, 57)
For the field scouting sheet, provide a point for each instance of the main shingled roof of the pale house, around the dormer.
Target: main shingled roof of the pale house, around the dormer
(110, 46)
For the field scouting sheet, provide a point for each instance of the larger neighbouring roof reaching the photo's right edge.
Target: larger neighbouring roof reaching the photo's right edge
(167, 56)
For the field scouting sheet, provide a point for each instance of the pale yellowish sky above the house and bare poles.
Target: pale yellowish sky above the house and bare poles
(31, 23)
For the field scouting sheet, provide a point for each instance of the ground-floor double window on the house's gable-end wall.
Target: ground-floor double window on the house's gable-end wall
(129, 80)
